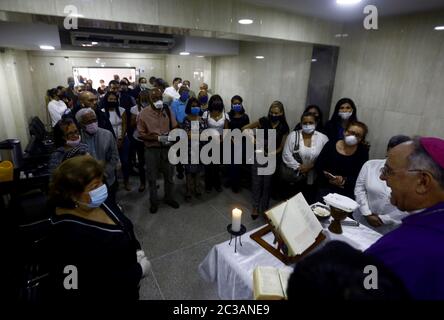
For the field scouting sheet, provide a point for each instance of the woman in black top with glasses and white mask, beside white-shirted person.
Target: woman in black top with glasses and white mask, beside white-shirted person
(339, 162)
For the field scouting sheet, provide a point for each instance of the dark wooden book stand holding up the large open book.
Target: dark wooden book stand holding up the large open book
(281, 252)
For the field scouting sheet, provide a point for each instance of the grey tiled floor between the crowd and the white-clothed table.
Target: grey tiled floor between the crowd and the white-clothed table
(177, 240)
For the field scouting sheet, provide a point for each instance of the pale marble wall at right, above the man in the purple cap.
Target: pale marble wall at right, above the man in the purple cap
(395, 75)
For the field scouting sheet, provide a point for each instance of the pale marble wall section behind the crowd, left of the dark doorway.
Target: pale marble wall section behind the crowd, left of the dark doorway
(282, 75)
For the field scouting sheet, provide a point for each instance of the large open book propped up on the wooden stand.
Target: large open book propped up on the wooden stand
(296, 224)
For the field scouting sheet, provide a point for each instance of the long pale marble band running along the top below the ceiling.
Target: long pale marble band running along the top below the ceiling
(209, 16)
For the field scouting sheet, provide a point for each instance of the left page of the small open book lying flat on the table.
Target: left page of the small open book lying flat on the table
(267, 284)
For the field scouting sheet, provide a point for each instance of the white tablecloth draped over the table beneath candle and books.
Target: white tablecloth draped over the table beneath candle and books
(233, 272)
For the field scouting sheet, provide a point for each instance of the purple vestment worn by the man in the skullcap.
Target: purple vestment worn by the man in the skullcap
(415, 252)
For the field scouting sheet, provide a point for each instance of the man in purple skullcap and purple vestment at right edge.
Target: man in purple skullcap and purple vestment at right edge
(415, 251)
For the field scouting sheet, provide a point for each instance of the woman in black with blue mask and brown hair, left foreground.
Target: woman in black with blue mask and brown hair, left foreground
(91, 237)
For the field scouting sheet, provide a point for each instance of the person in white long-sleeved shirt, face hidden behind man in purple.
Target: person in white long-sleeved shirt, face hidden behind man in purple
(373, 194)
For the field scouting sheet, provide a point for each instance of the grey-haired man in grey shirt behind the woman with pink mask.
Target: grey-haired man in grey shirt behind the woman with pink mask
(102, 145)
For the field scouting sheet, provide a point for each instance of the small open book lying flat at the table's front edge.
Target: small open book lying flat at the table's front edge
(270, 283)
